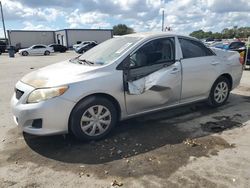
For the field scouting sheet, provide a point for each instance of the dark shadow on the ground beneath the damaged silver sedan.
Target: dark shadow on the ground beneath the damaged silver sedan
(135, 136)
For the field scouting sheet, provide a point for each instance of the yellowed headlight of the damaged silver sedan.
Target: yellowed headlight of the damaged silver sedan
(45, 94)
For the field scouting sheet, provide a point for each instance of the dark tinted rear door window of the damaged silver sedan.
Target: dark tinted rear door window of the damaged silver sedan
(191, 49)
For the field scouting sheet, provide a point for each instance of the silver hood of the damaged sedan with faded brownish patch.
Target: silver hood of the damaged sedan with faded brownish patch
(59, 74)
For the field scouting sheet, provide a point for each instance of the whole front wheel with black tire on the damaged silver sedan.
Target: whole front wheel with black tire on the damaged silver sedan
(85, 126)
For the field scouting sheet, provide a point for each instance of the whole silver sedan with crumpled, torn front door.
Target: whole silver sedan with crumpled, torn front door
(121, 78)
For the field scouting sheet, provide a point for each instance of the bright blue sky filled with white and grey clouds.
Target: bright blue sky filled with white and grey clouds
(183, 16)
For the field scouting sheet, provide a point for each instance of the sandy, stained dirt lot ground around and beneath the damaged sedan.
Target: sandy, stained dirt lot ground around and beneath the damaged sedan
(193, 146)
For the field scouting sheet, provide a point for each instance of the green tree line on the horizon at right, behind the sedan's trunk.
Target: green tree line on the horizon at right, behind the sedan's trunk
(235, 32)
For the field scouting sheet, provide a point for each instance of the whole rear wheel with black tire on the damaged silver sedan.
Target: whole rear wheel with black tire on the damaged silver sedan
(220, 92)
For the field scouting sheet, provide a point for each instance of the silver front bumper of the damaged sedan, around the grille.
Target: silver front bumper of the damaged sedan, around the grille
(54, 113)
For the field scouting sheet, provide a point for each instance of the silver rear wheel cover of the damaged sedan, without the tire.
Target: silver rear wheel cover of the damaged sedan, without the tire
(221, 92)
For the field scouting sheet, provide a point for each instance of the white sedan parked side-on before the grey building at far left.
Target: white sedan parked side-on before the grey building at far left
(38, 49)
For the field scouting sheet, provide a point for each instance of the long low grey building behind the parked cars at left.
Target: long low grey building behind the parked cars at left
(66, 37)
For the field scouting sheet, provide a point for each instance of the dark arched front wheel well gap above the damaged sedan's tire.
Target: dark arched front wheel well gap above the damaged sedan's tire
(104, 95)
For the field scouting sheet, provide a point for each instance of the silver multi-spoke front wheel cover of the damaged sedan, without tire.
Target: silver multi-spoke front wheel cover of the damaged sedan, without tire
(95, 120)
